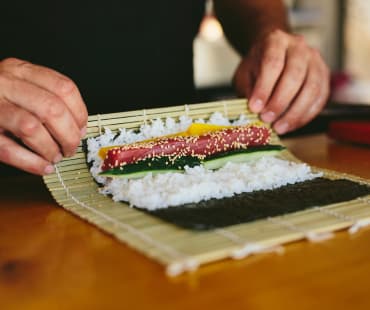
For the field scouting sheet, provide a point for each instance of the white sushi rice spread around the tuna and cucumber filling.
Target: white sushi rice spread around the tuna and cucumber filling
(195, 184)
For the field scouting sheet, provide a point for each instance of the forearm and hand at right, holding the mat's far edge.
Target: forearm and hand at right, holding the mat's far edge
(287, 81)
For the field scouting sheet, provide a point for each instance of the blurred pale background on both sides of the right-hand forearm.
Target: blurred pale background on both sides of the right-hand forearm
(339, 29)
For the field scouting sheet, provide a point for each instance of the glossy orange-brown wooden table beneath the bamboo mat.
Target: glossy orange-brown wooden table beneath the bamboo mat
(49, 259)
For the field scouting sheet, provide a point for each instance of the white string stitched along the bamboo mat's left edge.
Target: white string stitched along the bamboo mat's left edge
(186, 263)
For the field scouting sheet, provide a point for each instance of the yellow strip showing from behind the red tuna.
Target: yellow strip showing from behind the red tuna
(195, 129)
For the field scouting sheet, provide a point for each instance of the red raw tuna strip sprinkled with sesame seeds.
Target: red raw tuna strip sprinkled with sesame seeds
(200, 146)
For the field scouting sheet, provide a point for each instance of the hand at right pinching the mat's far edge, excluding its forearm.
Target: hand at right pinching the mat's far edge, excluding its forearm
(287, 82)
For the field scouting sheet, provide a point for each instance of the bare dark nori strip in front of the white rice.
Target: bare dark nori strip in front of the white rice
(247, 207)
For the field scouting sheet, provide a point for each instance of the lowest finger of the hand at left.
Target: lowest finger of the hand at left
(14, 155)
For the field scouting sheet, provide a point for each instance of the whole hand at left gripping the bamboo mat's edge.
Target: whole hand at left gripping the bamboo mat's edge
(43, 109)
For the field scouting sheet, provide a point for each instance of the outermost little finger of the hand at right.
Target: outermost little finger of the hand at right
(308, 103)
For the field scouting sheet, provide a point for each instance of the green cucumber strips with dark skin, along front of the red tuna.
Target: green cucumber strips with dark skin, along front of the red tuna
(166, 164)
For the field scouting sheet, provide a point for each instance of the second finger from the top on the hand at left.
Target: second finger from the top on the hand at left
(47, 107)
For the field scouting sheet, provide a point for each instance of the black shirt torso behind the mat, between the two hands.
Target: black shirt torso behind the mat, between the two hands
(123, 55)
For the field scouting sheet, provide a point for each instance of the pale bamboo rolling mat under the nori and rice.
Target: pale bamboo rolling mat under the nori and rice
(180, 249)
